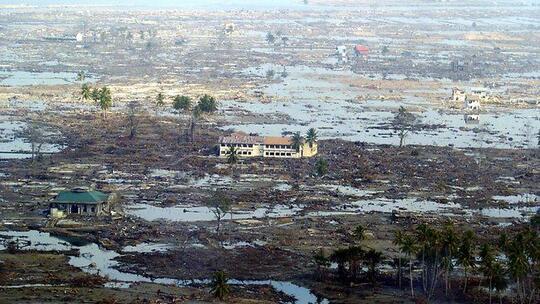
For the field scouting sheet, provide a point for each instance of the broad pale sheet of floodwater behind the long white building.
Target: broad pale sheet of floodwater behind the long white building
(314, 99)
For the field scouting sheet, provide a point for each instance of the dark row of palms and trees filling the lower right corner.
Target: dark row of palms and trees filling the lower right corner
(444, 261)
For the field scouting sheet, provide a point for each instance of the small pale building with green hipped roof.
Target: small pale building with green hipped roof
(82, 201)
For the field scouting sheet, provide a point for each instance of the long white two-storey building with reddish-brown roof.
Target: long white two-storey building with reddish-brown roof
(265, 146)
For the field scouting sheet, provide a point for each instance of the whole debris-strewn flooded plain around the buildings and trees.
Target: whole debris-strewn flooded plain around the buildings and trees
(275, 73)
